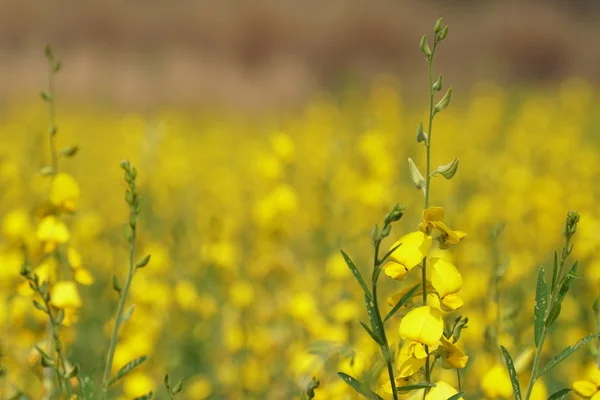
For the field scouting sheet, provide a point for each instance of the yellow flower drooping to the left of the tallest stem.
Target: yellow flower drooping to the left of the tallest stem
(413, 248)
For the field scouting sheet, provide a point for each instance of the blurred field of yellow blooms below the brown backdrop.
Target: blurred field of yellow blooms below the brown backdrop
(246, 294)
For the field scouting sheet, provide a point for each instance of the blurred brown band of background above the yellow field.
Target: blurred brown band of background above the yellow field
(263, 53)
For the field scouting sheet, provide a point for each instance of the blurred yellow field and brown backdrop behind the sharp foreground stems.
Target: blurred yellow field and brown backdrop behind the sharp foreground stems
(268, 135)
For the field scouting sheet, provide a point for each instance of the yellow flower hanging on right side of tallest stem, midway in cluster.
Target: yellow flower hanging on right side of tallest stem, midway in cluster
(447, 281)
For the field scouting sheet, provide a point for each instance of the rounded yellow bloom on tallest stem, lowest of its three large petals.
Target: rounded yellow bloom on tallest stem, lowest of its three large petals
(423, 324)
